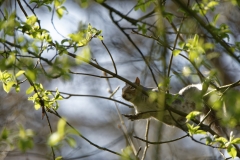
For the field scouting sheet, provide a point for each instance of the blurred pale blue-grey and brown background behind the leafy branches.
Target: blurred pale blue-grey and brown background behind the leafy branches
(96, 118)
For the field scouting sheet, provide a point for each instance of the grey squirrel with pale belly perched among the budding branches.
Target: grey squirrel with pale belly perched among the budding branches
(155, 104)
